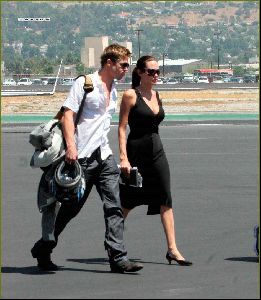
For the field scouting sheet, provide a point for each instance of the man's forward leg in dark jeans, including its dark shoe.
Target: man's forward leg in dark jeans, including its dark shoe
(108, 188)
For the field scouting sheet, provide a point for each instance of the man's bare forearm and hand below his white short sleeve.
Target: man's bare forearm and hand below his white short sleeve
(71, 154)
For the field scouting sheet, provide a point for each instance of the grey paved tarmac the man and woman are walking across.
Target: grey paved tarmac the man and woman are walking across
(215, 179)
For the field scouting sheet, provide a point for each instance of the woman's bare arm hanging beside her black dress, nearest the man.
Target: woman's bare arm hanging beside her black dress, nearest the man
(128, 101)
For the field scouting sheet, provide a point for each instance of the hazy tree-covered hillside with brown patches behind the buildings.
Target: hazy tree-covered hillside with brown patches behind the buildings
(179, 29)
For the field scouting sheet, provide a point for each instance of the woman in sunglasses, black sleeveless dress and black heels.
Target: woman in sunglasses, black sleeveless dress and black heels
(142, 109)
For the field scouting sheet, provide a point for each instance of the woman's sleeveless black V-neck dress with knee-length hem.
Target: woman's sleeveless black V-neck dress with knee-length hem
(145, 151)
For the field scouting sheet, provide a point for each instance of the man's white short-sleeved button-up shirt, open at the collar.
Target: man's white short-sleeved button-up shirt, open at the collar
(94, 123)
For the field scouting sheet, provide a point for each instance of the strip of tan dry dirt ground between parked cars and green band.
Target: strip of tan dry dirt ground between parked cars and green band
(176, 102)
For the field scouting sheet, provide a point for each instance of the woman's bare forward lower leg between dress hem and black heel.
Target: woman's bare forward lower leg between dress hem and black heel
(167, 219)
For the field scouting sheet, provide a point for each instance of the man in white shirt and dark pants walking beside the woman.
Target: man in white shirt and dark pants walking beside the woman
(89, 145)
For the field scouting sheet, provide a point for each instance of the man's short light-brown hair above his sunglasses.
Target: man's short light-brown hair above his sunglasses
(114, 52)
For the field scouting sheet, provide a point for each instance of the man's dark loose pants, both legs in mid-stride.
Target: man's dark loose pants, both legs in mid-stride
(105, 176)
